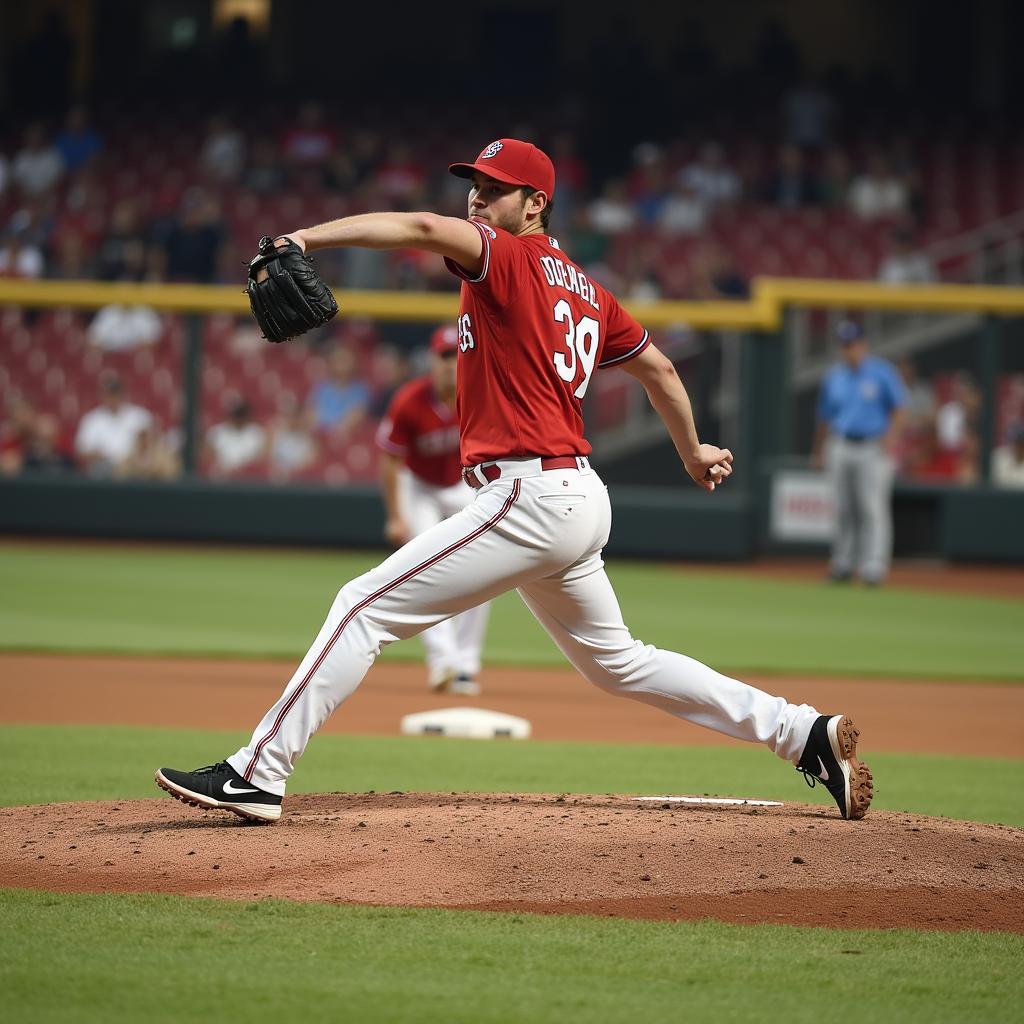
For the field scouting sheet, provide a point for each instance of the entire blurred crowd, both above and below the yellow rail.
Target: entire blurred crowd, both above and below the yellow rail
(120, 197)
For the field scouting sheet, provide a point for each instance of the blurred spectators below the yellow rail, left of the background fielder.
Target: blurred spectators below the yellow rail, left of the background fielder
(295, 437)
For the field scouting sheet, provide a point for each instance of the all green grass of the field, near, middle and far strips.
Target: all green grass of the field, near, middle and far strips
(71, 958)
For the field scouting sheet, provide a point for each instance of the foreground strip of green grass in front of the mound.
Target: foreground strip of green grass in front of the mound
(165, 960)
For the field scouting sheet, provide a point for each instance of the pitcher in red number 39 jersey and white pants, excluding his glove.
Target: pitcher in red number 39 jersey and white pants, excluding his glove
(533, 330)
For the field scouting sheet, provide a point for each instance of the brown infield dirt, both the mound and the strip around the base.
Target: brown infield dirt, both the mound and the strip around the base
(549, 855)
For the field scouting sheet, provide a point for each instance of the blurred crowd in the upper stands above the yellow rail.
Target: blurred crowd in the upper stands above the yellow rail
(68, 208)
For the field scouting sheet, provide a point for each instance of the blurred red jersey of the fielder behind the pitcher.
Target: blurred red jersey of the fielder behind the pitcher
(424, 433)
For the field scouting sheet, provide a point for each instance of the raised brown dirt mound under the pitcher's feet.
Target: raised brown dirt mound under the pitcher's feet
(550, 855)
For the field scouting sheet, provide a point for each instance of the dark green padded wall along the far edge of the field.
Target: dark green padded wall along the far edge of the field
(961, 524)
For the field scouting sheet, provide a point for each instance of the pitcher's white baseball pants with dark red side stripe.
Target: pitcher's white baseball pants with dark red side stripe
(543, 534)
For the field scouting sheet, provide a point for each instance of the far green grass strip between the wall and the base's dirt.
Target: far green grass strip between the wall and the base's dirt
(271, 604)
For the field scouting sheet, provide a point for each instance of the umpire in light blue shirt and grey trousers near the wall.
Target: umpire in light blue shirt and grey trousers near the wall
(861, 411)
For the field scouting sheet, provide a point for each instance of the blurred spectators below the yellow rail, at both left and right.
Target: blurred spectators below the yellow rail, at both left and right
(350, 395)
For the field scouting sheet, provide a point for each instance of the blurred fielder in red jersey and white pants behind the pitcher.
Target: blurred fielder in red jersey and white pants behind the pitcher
(421, 483)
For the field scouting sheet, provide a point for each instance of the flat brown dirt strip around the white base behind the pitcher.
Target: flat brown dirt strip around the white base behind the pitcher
(959, 719)
